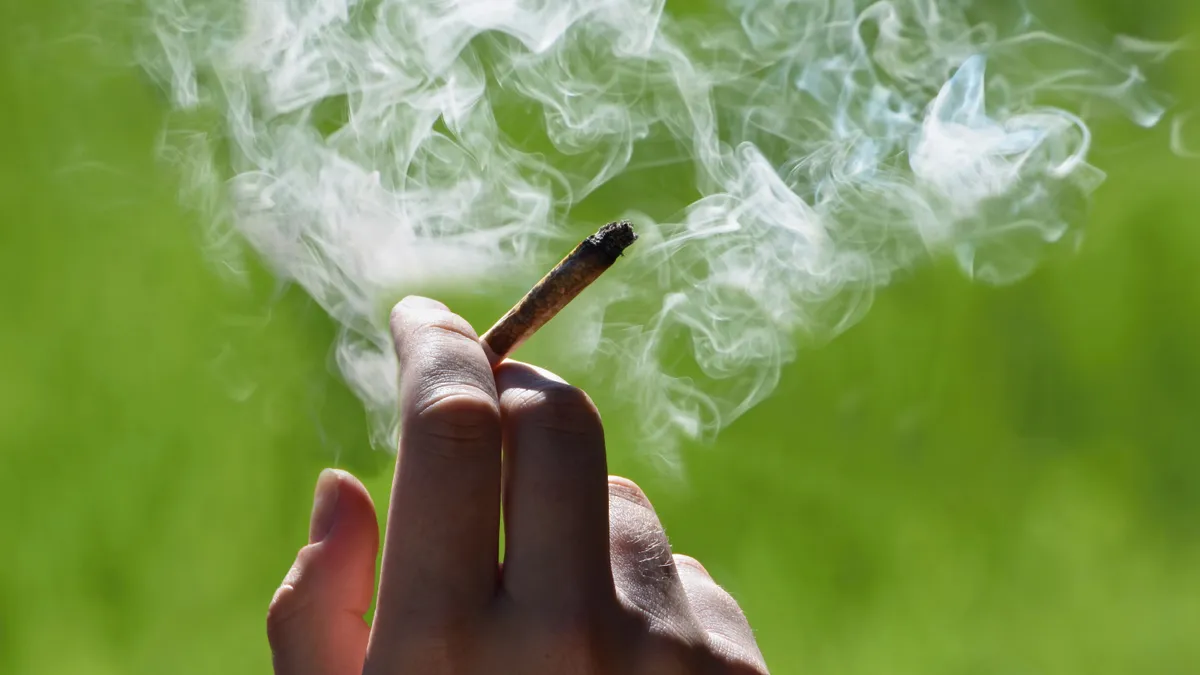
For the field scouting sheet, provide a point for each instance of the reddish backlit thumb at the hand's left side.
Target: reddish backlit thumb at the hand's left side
(316, 622)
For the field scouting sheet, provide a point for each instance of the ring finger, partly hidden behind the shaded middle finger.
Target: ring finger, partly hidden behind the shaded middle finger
(643, 566)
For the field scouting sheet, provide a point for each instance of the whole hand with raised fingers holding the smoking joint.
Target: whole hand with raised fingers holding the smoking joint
(589, 584)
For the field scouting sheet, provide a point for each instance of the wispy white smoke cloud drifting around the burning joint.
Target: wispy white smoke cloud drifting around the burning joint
(371, 147)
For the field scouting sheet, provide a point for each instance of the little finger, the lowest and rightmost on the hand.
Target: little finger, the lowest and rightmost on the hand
(719, 616)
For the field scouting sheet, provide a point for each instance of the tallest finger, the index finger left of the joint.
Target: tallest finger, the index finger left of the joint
(443, 525)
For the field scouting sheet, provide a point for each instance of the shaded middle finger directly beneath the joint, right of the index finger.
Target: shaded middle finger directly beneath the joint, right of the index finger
(556, 499)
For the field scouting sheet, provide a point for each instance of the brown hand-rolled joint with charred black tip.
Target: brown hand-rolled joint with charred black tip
(569, 278)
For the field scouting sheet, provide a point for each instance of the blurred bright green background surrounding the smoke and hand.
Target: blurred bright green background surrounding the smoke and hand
(973, 481)
